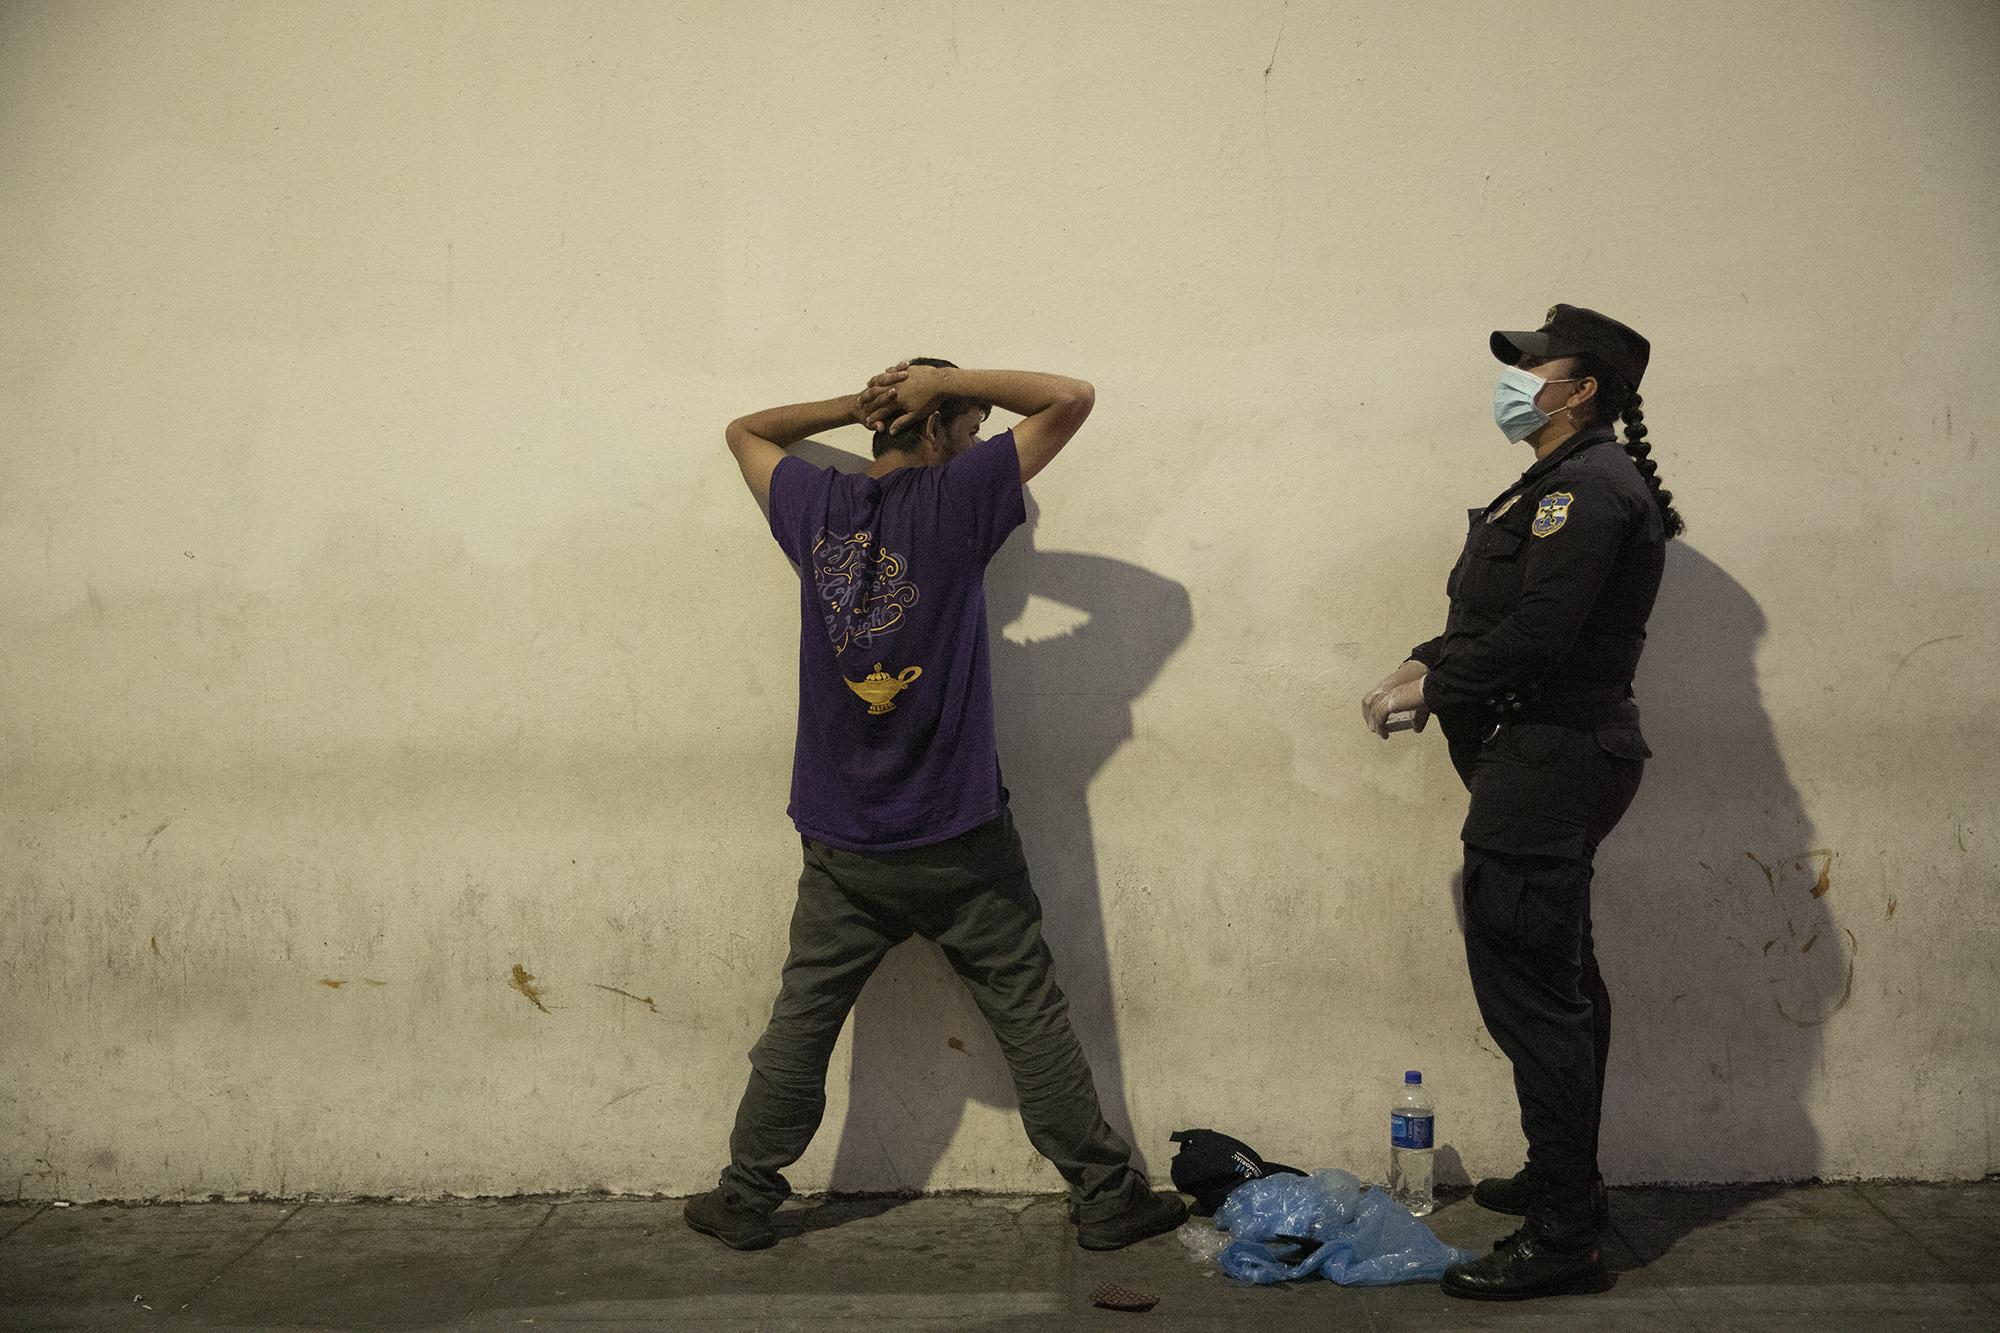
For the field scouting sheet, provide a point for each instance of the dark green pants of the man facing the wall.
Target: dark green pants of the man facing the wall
(973, 898)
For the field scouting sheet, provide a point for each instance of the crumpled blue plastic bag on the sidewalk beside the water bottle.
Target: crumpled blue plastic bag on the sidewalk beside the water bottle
(1361, 1238)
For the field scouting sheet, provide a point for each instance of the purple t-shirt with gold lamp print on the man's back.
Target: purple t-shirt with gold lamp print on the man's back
(895, 692)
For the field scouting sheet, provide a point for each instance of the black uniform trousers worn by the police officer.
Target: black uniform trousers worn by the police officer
(1543, 798)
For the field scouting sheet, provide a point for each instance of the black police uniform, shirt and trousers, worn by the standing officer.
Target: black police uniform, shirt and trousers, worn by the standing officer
(1531, 684)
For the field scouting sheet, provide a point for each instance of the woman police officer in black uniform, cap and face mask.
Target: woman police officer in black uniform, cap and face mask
(1531, 684)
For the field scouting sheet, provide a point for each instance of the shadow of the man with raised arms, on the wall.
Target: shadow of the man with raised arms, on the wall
(921, 1052)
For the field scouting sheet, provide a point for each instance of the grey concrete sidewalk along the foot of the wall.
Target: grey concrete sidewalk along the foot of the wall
(1759, 1258)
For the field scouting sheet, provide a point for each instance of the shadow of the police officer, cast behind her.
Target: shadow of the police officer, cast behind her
(1715, 928)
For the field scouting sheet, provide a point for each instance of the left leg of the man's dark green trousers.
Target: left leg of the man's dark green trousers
(837, 944)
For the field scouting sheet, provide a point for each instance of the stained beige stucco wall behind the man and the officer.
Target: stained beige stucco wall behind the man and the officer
(383, 617)
